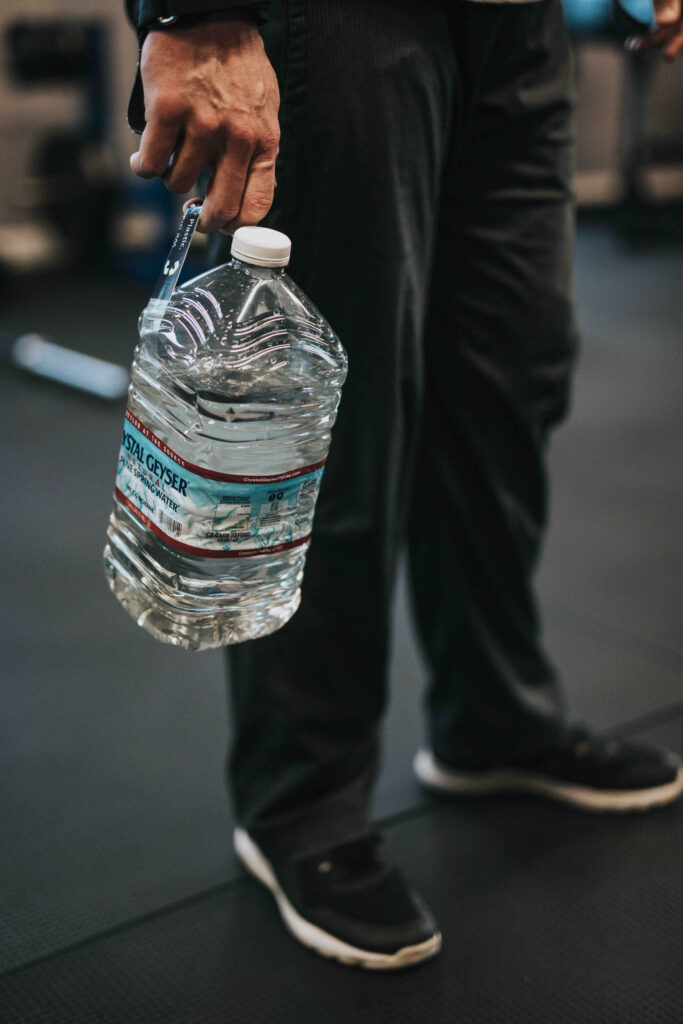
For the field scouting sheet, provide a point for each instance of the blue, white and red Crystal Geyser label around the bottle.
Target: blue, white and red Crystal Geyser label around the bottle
(219, 516)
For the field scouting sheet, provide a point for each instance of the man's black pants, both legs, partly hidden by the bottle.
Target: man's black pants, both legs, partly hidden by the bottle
(425, 182)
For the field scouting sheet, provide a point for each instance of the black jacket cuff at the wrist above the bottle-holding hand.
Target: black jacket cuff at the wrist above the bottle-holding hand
(148, 15)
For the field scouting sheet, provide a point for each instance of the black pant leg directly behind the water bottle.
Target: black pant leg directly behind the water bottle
(368, 97)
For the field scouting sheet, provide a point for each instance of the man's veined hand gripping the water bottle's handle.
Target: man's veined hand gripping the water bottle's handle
(211, 101)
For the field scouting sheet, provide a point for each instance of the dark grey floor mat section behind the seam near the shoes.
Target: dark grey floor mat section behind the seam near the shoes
(112, 746)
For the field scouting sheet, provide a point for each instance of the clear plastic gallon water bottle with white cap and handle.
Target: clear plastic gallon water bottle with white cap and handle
(235, 388)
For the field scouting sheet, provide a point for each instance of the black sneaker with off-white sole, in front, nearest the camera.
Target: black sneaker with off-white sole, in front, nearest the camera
(348, 904)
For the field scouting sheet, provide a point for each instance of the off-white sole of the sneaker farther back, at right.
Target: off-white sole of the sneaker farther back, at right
(449, 782)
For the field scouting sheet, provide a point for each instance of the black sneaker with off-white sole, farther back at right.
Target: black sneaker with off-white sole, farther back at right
(595, 774)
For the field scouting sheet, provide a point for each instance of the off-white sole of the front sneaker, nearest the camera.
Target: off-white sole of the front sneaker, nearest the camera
(313, 936)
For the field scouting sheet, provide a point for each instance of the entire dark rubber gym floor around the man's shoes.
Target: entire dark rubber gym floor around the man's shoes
(122, 901)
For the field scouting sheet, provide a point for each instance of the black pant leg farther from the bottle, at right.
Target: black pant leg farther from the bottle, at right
(500, 348)
